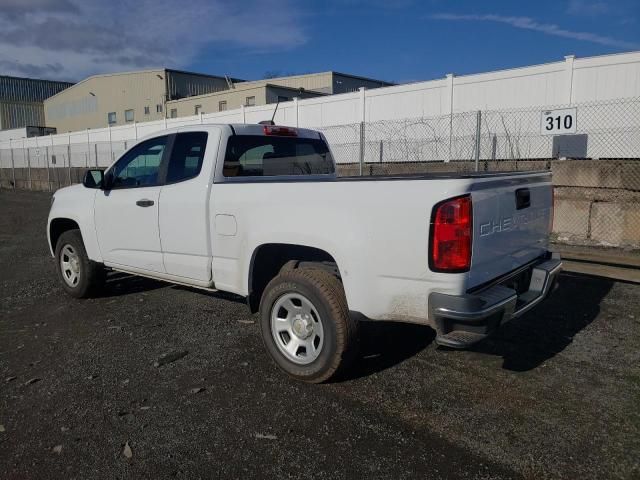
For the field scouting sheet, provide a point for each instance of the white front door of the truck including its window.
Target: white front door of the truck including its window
(126, 215)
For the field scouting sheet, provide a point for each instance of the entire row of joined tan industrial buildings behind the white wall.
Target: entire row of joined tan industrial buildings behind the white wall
(123, 98)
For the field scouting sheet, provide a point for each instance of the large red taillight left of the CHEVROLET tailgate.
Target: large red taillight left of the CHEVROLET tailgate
(451, 230)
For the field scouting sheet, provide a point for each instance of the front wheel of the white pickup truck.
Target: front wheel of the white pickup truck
(79, 276)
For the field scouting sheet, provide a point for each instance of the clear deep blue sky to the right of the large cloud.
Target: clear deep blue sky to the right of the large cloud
(416, 40)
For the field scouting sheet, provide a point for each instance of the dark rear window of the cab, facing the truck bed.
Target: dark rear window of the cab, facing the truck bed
(269, 156)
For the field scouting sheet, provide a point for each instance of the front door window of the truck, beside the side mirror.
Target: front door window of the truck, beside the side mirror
(140, 166)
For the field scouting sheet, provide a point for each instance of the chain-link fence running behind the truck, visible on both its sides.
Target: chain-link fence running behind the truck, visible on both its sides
(593, 150)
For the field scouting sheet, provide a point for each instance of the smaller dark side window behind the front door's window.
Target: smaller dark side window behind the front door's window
(186, 156)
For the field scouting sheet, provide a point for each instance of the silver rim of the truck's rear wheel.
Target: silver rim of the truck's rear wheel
(297, 329)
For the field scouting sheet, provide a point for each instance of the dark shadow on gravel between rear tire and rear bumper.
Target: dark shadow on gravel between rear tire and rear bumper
(386, 344)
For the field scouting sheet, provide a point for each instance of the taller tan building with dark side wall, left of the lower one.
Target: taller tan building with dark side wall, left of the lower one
(123, 98)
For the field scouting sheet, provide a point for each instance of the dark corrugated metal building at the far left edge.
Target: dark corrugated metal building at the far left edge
(21, 101)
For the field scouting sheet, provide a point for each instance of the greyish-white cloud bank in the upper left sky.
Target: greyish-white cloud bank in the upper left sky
(71, 39)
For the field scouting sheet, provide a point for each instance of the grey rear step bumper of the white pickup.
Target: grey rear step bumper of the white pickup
(464, 320)
